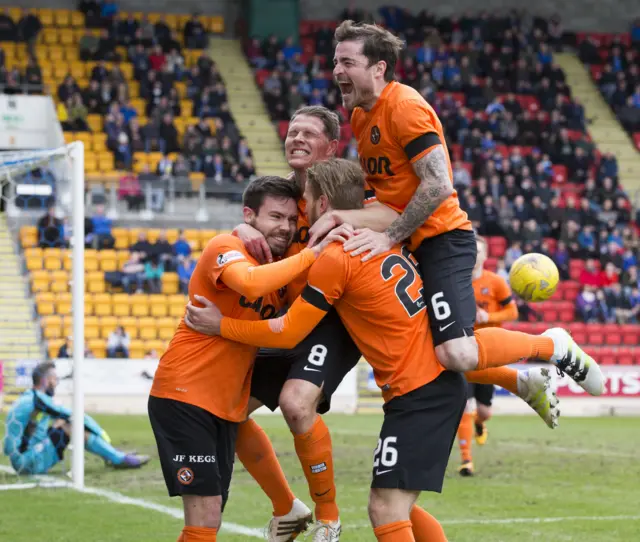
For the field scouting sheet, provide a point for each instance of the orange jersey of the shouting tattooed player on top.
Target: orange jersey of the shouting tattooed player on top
(400, 129)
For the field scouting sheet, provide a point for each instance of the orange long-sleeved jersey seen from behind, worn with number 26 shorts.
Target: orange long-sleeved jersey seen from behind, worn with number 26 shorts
(380, 303)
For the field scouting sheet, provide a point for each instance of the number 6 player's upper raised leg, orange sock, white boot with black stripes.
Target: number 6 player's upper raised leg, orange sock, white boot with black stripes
(496, 347)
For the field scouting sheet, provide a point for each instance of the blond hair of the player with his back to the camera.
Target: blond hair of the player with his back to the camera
(340, 180)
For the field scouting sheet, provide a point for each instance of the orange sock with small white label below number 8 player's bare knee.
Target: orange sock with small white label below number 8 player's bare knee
(316, 457)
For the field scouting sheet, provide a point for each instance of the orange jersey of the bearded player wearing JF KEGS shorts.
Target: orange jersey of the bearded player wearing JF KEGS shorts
(211, 372)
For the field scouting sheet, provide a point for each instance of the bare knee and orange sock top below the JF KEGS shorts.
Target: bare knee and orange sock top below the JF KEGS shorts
(202, 517)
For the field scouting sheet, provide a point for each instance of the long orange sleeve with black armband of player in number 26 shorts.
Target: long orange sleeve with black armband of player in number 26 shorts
(326, 284)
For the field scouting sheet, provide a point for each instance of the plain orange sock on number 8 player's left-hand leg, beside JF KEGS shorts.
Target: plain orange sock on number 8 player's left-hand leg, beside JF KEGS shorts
(256, 453)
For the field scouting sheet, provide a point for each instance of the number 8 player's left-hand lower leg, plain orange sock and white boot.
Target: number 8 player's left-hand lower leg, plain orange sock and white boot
(255, 451)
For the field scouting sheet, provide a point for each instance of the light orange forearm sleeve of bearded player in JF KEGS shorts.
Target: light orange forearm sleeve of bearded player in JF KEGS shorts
(256, 280)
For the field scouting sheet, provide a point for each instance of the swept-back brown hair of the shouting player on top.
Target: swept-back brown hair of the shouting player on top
(378, 44)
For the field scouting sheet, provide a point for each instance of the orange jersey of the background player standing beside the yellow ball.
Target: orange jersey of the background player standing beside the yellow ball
(494, 296)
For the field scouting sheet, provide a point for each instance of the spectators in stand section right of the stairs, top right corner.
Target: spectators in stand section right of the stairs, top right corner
(615, 66)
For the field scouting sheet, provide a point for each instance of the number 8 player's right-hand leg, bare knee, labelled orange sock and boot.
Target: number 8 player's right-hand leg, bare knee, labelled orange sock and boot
(299, 401)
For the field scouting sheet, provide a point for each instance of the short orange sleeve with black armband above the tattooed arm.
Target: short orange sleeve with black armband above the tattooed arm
(414, 126)
